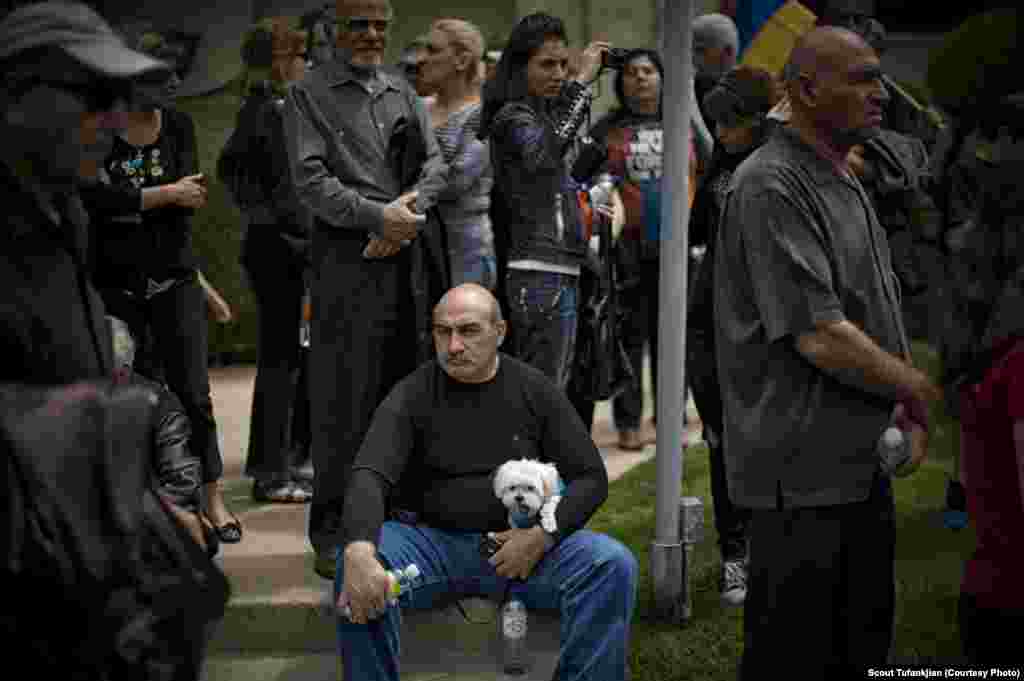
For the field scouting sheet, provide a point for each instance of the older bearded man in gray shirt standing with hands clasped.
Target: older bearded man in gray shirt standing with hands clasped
(366, 162)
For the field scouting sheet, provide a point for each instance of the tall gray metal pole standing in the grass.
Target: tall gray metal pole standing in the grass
(668, 559)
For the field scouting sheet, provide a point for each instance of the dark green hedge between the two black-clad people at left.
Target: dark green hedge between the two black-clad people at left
(218, 230)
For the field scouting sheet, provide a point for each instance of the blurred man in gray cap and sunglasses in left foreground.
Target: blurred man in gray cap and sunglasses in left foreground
(65, 87)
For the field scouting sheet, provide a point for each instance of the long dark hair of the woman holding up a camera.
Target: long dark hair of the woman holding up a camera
(509, 82)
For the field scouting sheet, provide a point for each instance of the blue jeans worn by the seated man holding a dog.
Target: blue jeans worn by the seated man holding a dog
(590, 579)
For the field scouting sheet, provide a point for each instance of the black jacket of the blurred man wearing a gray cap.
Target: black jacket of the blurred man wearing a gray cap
(53, 327)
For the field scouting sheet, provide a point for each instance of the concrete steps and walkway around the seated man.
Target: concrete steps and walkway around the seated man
(277, 626)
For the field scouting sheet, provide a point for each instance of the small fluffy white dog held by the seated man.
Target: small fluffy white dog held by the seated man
(528, 489)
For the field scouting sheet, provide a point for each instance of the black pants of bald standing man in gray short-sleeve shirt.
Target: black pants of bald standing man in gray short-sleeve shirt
(821, 594)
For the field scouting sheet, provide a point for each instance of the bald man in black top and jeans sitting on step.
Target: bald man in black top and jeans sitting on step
(436, 442)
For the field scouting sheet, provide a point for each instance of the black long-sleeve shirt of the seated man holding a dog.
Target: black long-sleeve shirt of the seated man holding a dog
(436, 444)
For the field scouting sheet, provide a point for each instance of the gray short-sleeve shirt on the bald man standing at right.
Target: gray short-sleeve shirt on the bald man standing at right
(799, 245)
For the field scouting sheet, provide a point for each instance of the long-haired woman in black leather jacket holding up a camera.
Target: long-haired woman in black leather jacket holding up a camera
(532, 115)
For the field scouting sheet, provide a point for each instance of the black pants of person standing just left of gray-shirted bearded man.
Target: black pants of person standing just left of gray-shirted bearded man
(279, 299)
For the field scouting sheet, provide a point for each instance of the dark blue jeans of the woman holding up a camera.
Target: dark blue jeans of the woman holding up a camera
(543, 315)
